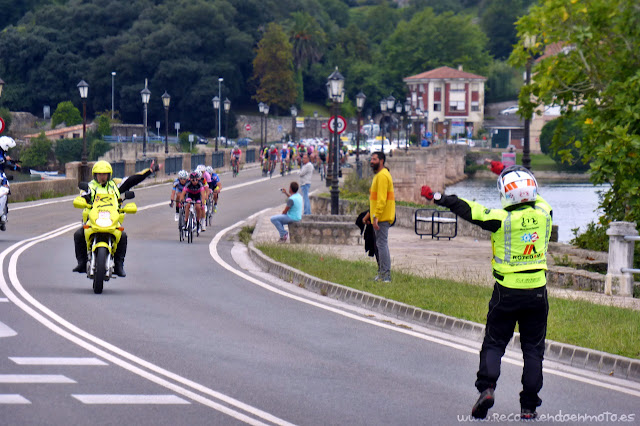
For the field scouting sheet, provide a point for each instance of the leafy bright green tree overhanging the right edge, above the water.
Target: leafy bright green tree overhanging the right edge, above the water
(596, 70)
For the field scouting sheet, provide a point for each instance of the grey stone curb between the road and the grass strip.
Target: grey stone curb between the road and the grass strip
(563, 353)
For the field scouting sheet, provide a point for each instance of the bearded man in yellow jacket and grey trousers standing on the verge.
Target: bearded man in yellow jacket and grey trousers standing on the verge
(382, 213)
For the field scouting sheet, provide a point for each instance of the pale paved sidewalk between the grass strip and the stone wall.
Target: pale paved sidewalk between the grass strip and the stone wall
(460, 259)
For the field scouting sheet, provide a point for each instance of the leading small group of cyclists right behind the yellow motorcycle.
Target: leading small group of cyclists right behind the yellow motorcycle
(196, 188)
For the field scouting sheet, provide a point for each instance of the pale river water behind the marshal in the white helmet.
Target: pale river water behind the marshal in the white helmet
(574, 204)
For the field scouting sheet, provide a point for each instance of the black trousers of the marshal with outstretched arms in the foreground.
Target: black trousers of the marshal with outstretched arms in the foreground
(529, 308)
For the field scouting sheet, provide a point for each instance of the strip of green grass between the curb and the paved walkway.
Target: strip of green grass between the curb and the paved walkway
(604, 328)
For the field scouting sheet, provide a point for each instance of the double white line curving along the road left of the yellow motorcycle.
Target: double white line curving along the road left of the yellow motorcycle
(137, 365)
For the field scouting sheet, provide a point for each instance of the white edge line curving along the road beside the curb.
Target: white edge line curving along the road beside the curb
(629, 388)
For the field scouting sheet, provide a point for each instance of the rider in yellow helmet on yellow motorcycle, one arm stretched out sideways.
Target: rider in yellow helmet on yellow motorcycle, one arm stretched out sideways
(103, 183)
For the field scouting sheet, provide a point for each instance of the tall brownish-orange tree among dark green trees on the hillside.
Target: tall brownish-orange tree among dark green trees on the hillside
(273, 69)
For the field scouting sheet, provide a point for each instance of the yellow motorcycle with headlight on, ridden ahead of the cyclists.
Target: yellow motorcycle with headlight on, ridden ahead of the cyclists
(102, 223)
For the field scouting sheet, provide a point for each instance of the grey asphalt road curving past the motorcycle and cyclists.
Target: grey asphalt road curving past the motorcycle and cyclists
(191, 336)
